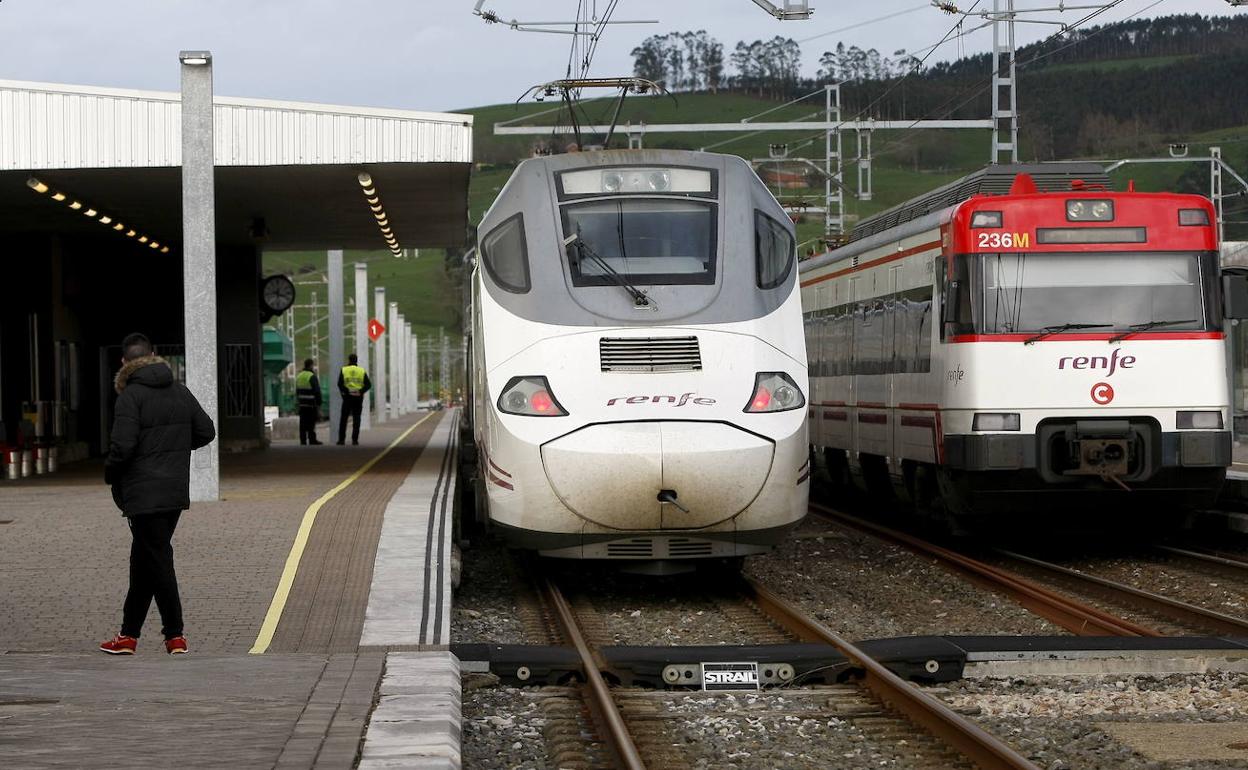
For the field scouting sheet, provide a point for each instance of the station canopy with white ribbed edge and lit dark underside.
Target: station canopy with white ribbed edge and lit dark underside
(288, 173)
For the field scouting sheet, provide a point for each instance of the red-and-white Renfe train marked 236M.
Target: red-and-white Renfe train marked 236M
(1025, 339)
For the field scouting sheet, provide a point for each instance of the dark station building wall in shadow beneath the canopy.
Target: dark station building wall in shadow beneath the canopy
(68, 301)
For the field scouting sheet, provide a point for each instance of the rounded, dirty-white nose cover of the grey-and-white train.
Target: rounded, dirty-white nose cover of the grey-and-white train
(617, 475)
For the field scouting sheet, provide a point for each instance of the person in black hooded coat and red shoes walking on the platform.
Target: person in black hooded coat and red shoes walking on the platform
(157, 425)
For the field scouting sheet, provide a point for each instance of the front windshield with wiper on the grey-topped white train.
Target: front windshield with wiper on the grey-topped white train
(643, 240)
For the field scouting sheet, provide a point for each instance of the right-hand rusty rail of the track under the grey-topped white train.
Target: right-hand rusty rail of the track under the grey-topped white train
(962, 734)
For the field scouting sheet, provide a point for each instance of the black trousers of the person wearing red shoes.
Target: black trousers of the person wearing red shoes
(152, 575)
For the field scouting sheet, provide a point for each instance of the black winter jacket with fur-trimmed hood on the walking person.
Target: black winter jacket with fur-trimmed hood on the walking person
(157, 425)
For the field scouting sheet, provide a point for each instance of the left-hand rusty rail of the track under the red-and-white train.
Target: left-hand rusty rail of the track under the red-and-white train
(1069, 613)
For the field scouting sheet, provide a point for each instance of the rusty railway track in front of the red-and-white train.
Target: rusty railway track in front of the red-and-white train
(1070, 606)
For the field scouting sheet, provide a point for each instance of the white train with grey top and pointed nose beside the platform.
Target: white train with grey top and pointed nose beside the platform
(638, 368)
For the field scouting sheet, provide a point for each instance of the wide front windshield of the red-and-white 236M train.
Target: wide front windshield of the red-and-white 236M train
(1124, 291)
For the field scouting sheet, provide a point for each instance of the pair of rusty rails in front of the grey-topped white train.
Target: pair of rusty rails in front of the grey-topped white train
(631, 722)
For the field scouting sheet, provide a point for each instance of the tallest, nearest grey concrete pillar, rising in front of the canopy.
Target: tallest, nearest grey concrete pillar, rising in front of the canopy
(200, 260)
